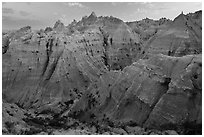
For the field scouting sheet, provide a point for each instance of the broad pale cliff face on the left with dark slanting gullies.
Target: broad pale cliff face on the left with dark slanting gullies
(38, 75)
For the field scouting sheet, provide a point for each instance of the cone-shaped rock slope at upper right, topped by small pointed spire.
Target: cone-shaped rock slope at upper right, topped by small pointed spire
(182, 37)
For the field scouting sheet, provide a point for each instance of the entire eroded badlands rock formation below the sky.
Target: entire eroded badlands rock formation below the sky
(101, 75)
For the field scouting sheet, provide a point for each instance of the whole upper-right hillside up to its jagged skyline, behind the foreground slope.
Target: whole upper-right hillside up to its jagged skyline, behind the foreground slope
(179, 37)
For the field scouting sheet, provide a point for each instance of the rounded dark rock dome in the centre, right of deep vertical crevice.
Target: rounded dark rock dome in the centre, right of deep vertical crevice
(123, 47)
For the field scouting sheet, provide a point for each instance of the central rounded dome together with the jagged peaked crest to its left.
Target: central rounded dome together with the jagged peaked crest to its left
(121, 44)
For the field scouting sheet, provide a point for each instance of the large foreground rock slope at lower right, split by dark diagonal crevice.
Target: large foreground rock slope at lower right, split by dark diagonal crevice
(154, 93)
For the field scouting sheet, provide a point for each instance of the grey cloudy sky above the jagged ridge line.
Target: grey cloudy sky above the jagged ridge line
(43, 14)
